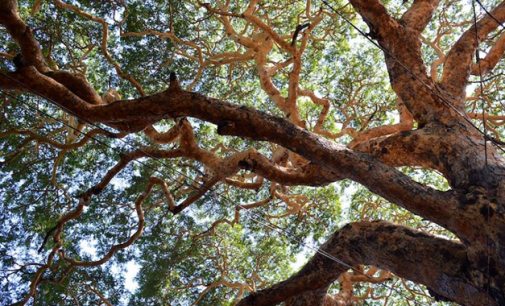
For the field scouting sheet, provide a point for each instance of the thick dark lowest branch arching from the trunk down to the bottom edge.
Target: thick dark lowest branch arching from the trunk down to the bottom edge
(398, 249)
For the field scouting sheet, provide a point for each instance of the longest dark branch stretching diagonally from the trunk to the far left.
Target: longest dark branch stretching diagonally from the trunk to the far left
(249, 123)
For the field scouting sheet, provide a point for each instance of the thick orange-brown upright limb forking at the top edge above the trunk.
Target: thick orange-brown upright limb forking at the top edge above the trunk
(402, 47)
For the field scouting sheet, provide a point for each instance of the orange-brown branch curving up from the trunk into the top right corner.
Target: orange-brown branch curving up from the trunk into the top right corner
(459, 60)
